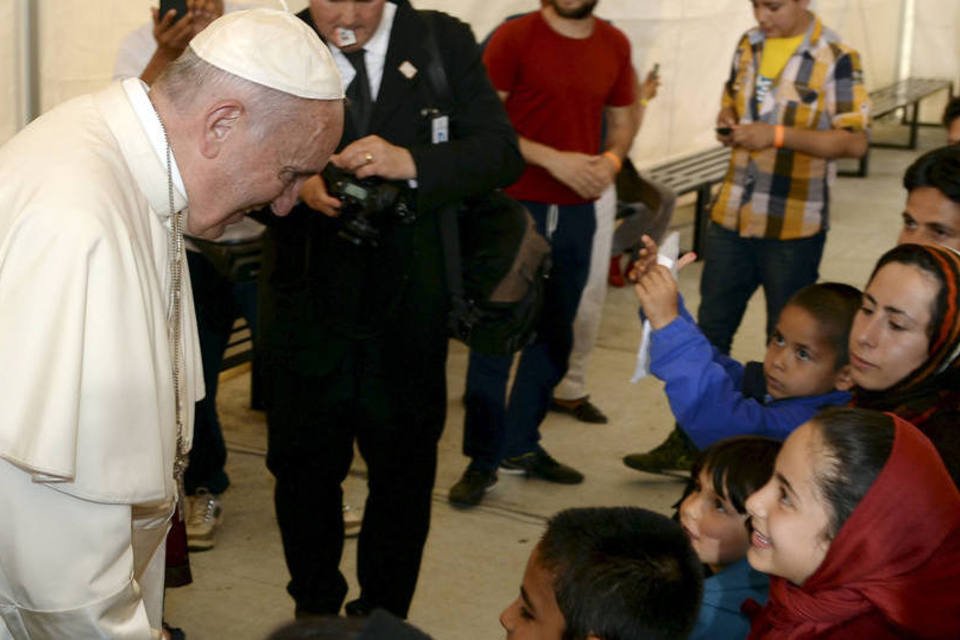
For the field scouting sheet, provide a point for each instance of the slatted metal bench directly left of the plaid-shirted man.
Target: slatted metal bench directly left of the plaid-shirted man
(694, 173)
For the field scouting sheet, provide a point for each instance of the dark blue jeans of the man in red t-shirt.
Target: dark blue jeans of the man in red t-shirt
(492, 428)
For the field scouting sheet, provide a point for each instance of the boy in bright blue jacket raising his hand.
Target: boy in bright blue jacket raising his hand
(714, 397)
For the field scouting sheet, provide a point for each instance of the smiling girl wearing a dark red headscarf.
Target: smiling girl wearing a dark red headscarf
(860, 530)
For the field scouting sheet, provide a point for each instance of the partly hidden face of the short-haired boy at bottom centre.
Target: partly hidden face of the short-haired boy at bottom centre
(534, 615)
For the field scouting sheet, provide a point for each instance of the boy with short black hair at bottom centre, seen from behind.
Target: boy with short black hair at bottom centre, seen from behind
(608, 573)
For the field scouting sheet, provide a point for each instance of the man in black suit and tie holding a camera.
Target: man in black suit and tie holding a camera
(354, 337)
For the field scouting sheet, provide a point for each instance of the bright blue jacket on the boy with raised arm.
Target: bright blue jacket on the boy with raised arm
(704, 392)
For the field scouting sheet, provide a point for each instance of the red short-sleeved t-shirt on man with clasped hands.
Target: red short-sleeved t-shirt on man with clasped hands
(558, 88)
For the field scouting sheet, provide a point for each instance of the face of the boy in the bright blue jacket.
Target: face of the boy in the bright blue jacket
(799, 362)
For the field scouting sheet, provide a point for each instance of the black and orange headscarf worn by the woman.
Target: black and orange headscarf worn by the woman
(934, 385)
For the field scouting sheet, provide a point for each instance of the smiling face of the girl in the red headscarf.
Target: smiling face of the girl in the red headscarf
(789, 514)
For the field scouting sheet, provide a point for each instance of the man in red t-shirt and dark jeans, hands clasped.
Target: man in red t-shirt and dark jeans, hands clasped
(559, 71)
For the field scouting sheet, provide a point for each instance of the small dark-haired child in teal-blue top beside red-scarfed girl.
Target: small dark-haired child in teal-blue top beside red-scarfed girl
(714, 516)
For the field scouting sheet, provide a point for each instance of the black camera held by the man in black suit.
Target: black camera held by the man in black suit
(366, 204)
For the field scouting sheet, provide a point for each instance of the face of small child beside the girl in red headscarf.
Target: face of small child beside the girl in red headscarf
(716, 530)
